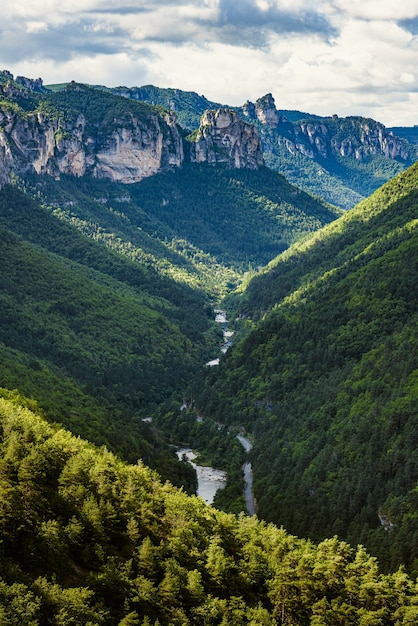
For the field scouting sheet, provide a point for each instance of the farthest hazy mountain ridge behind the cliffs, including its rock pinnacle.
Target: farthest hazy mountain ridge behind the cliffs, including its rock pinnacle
(339, 159)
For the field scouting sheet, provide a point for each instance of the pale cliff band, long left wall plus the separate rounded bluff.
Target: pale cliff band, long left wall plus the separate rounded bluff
(83, 131)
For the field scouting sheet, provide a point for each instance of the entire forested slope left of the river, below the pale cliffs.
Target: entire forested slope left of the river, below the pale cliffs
(108, 289)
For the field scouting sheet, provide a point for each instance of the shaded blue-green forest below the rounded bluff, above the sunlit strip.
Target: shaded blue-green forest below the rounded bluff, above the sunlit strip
(240, 217)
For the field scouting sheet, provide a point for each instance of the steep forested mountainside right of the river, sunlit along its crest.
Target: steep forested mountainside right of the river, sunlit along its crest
(327, 381)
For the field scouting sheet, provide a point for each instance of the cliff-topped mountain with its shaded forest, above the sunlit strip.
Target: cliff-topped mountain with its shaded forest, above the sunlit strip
(210, 185)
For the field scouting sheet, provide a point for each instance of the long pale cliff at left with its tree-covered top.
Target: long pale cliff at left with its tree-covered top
(82, 131)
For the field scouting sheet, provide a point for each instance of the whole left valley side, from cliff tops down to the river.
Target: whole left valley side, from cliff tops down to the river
(108, 288)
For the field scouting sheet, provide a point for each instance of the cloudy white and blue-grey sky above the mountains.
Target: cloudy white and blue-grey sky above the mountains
(350, 57)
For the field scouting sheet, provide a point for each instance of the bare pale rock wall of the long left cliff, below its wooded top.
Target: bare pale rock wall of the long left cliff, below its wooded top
(131, 149)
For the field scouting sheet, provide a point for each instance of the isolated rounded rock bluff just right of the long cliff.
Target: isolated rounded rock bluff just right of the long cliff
(223, 137)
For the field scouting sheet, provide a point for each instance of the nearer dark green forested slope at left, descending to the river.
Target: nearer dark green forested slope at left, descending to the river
(97, 339)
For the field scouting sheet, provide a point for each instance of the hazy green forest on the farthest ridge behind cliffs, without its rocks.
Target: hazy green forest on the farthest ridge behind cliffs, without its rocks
(341, 180)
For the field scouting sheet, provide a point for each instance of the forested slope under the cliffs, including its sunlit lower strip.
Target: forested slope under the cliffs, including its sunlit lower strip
(200, 224)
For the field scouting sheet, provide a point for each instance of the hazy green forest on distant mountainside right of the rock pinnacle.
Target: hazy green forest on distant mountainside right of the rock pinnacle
(342, 180)
